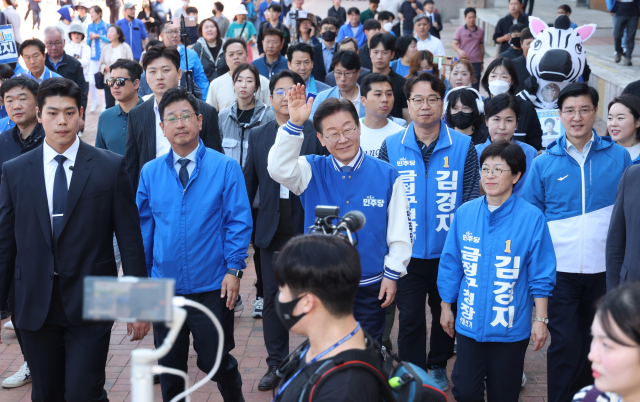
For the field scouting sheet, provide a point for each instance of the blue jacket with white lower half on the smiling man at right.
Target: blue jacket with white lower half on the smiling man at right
(577, 201)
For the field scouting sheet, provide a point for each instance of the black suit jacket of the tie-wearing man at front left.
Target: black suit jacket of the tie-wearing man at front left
(99, 203)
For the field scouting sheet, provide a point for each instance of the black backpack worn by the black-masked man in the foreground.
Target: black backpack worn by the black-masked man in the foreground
(412, 384)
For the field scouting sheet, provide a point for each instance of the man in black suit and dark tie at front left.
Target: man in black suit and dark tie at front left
(59, 207)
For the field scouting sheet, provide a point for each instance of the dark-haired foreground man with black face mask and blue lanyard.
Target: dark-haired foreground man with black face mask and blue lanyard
(318, 277)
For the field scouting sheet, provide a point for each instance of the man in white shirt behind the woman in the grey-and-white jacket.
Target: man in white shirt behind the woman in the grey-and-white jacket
(221, 93)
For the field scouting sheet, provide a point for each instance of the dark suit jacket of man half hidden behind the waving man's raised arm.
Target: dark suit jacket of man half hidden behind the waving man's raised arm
(257, 178)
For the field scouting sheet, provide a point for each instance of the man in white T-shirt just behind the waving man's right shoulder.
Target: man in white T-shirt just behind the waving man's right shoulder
(376, 94)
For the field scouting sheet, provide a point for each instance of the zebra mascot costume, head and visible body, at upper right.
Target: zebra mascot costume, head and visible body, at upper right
(556, 58)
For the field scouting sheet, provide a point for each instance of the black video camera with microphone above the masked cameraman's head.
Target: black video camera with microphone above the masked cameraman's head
(344, 226)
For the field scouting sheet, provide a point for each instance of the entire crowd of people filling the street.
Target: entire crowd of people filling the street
(207, 145)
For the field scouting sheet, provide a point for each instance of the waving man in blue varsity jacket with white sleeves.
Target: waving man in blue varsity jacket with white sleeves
(350, 180)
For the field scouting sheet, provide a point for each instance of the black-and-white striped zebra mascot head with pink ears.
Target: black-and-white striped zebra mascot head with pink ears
(557, 54)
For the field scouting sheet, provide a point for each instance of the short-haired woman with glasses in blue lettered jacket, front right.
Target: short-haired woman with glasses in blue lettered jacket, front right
(498, 259)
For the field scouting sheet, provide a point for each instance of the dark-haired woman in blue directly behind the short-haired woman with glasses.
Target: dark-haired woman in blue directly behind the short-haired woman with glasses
(502, 114)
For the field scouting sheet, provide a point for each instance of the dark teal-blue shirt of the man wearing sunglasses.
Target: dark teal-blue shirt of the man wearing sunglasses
(112, 129)
